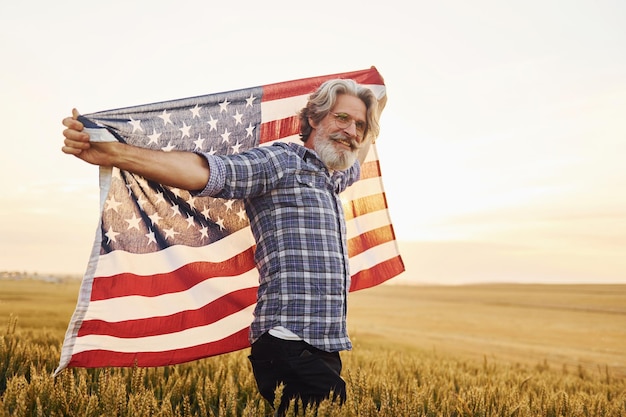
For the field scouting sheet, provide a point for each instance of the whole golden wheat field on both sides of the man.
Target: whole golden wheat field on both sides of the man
(479, 350)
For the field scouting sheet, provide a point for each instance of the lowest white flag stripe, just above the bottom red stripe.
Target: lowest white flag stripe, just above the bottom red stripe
(180, 340)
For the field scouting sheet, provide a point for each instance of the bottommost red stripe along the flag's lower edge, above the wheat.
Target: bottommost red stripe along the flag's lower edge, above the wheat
(106, 358)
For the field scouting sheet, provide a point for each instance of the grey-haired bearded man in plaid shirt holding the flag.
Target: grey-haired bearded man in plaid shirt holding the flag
(291, 194)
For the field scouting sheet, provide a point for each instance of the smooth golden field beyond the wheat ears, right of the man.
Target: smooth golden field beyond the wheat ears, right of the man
(563, 325)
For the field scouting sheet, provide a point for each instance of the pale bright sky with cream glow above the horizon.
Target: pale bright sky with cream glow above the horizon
(502, 144)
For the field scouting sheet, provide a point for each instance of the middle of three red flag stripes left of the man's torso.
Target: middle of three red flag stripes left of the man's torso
(216, 310)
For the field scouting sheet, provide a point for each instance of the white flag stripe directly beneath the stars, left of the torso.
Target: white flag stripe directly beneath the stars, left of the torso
(174, 257)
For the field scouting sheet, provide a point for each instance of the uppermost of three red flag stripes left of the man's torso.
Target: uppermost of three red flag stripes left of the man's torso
(182, 279)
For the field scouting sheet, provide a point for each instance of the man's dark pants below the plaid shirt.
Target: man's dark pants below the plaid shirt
(308, 373)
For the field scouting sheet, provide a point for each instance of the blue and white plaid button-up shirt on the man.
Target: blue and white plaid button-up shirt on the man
(297, 220)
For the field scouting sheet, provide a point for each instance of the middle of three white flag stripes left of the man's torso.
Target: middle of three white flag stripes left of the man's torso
(134, 307)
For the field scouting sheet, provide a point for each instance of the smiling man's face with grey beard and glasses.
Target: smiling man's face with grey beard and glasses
(337, 138)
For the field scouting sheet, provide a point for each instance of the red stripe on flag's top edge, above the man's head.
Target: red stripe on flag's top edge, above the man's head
(308, 85)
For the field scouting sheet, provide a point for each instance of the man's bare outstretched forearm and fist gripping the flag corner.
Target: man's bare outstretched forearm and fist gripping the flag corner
(185, 170)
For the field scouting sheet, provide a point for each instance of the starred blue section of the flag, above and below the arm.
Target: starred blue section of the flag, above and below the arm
(181, 218)
